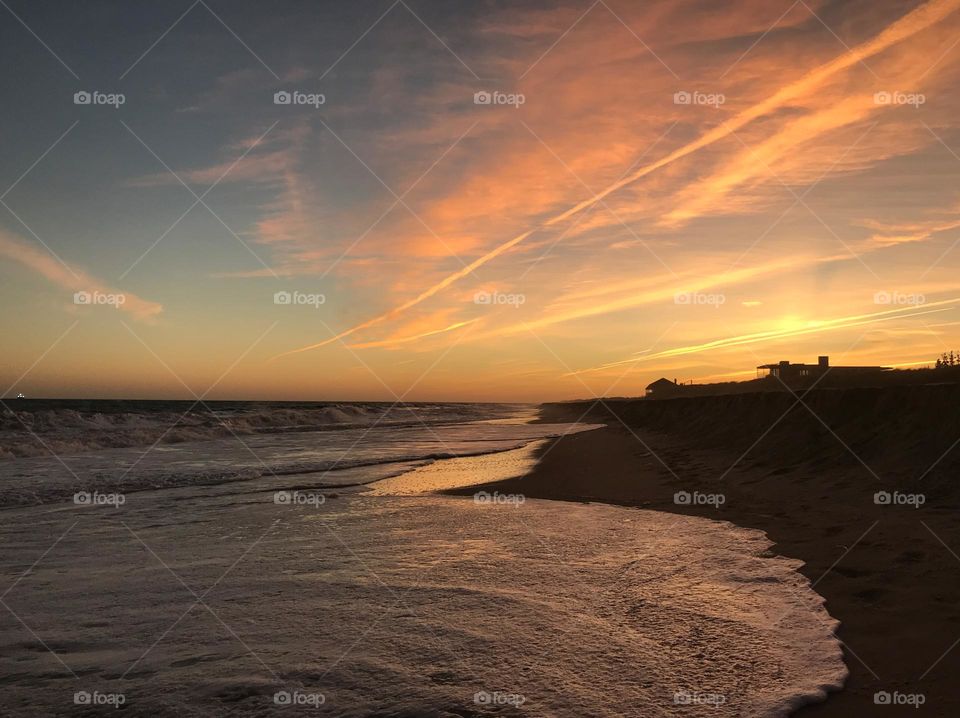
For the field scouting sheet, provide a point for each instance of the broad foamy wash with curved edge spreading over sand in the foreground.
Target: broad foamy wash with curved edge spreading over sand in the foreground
(411, 606)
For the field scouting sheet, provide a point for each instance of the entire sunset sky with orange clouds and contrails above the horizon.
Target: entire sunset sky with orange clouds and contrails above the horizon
(471, 200)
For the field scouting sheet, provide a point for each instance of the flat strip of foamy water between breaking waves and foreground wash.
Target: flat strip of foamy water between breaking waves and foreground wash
(325, 456)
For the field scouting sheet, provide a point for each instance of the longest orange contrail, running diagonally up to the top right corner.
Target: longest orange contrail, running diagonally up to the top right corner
(910, 24)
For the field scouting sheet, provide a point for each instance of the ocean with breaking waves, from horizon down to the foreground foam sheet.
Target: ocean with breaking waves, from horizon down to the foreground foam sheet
(64, 447)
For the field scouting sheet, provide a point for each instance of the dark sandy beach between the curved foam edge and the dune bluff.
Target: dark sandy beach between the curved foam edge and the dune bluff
(881, 570)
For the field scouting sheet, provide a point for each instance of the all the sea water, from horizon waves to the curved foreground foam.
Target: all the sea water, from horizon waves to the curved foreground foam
(304, 560)
